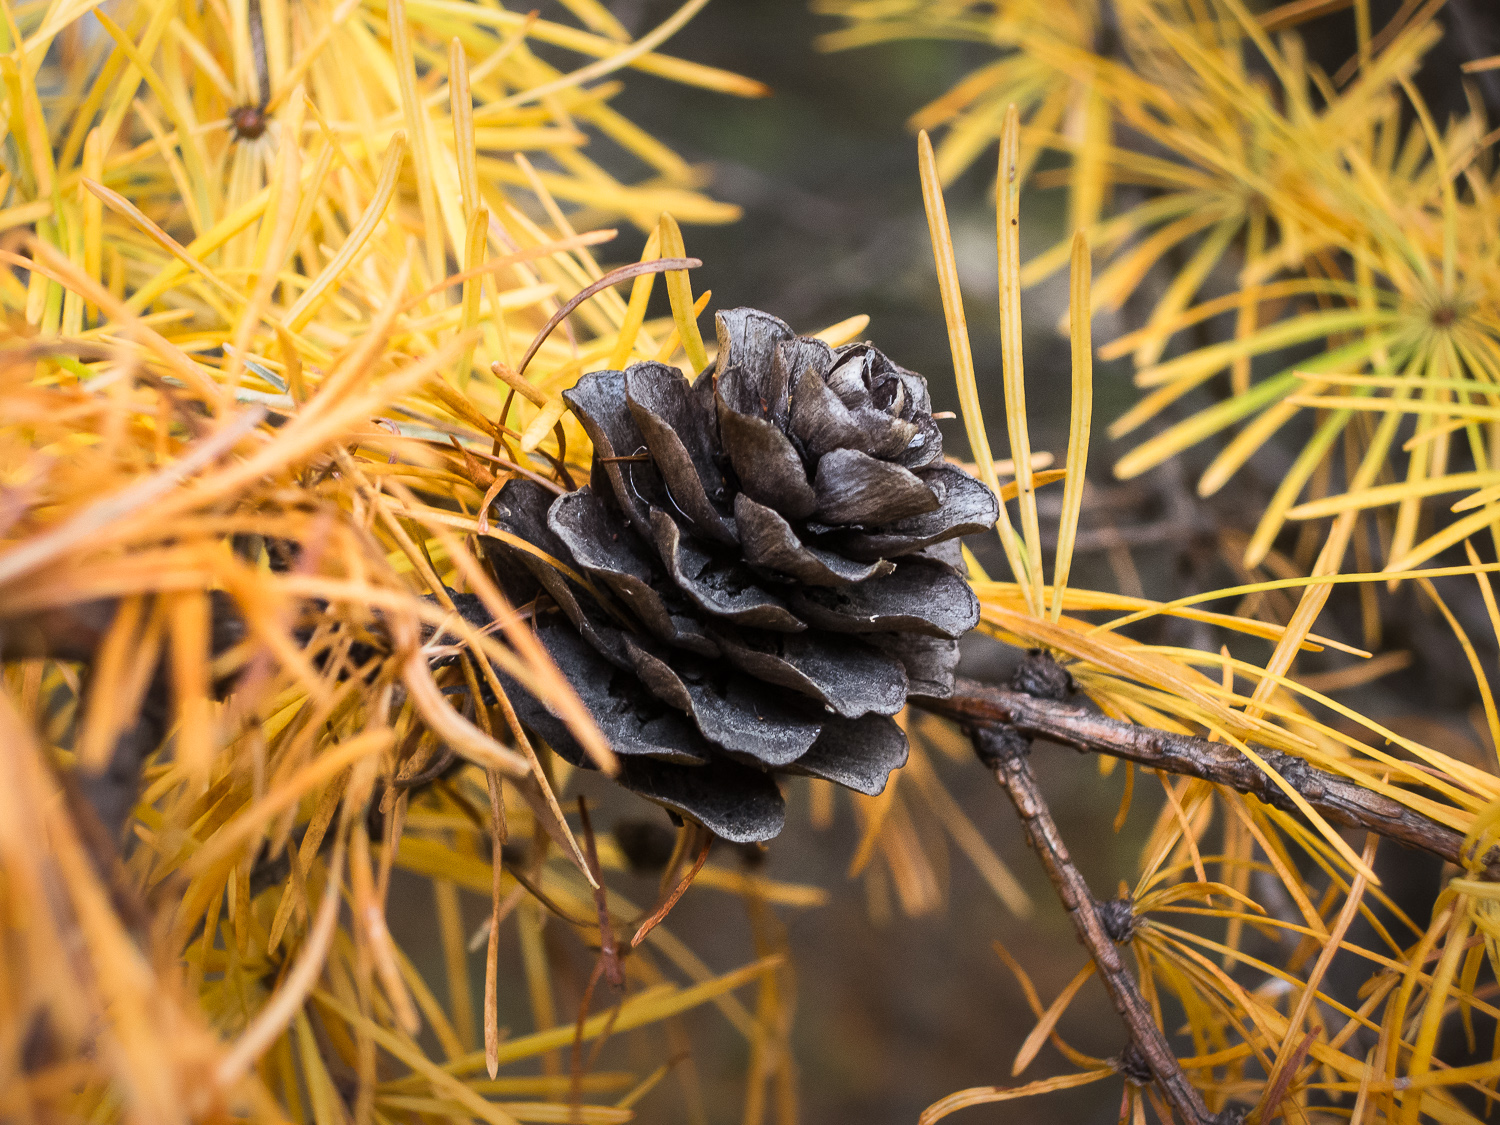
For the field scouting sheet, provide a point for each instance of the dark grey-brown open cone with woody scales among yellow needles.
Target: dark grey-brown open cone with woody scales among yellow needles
(761, 571)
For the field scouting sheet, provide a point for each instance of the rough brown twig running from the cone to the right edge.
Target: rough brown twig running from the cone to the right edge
(1342, 800)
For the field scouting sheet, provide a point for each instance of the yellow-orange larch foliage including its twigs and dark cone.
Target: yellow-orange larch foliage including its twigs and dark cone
(305, 367)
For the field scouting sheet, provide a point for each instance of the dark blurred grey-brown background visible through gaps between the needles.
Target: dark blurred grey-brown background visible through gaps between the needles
(895, 1012)
